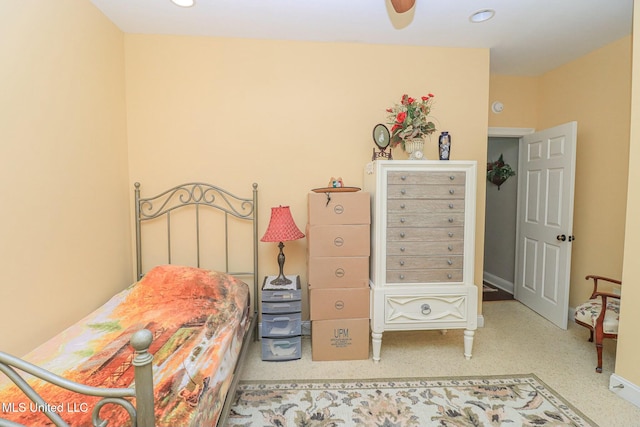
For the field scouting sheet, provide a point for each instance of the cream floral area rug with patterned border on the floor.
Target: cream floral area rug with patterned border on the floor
(515, 400)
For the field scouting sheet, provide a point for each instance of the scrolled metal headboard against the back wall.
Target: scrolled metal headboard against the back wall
(197, 194)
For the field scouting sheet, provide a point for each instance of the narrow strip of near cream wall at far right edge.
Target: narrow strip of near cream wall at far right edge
(629, 339)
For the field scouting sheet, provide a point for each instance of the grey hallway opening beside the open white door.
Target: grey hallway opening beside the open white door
(500, 223)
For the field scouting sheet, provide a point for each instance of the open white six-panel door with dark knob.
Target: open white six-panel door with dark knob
(546, 172)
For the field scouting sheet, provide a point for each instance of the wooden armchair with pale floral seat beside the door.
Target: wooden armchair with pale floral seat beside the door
(602, 323)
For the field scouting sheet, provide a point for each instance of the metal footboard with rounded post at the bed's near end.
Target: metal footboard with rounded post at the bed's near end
(141, 415)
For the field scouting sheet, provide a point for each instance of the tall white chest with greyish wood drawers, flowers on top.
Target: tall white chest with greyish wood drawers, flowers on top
(422, 247)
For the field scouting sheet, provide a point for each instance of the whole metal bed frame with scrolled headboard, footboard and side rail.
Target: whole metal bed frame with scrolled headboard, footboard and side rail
(199, 195)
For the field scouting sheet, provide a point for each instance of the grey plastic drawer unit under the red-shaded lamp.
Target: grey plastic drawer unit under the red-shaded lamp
(281, 320)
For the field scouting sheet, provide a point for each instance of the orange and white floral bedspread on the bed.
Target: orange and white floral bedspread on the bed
(197, 317)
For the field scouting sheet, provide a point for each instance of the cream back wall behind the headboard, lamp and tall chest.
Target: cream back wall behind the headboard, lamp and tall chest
(288, 115)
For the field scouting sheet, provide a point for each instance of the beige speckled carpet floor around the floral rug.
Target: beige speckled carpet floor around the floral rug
(514, 340)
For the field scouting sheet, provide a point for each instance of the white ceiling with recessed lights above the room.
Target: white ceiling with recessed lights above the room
(526, 37)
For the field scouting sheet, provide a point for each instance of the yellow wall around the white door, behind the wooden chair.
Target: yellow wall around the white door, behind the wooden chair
(593, 90)
